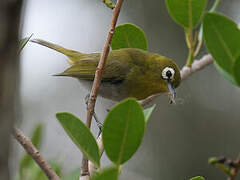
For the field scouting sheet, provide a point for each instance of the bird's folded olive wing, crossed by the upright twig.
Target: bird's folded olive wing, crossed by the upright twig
(114, 70)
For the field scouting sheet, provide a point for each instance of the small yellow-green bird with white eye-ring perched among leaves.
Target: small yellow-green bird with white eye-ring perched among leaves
(128, 72)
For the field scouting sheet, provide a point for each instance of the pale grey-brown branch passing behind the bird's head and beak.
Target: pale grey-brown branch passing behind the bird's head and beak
(186, 71)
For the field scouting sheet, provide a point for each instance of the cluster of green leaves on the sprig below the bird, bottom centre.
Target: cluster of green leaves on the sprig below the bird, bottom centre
(123, 130)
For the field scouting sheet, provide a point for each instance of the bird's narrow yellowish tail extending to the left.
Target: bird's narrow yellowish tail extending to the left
(68, 52)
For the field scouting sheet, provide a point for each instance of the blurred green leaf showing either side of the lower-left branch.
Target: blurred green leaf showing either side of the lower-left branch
(36, 140)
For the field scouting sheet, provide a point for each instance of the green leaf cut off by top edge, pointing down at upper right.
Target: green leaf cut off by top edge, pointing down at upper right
(187, 13)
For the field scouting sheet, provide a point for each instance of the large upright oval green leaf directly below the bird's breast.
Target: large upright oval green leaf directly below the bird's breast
(123, 130)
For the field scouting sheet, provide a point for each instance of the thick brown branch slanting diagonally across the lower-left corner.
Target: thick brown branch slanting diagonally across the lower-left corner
(35, 154)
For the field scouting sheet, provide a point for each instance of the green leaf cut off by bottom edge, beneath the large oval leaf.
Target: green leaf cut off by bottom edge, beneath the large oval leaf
(110, 173)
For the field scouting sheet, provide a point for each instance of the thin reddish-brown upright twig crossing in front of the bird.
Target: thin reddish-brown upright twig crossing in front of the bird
(98, 78)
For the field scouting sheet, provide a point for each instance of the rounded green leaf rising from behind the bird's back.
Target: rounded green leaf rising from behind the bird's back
(129, 36)
